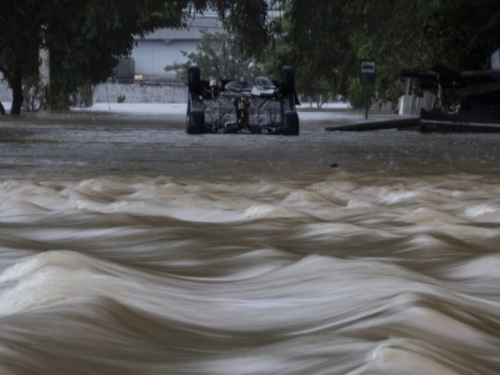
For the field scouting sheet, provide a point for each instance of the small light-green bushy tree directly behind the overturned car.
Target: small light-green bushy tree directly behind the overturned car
(218, 56)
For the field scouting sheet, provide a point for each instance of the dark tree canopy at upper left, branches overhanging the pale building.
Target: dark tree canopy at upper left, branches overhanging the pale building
(86, 37)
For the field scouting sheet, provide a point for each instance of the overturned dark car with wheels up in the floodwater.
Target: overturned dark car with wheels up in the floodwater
(259, 107)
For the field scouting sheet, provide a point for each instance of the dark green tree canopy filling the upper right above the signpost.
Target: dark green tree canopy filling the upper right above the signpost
(326, 39)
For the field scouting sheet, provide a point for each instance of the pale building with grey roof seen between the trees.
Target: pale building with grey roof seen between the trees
(164, 47)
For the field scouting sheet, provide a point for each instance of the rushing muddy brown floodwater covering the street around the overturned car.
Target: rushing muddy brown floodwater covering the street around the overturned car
(129, 247)
